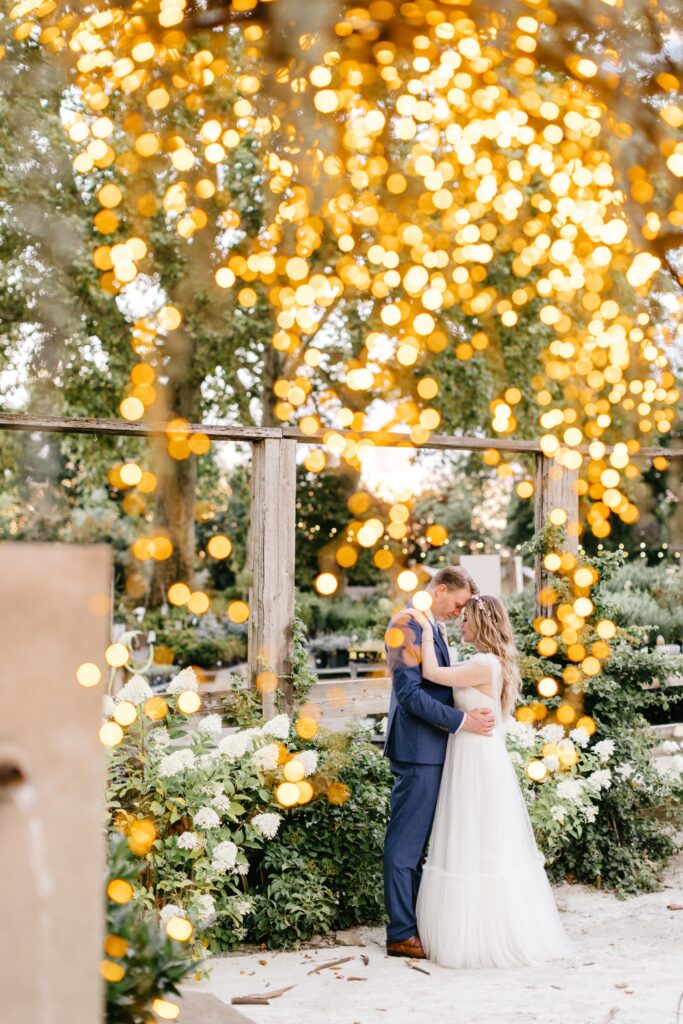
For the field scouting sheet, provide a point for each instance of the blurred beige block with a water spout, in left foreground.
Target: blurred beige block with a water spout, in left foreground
(55, 619)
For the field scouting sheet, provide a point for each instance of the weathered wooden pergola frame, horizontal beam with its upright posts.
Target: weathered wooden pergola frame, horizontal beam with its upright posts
(272, 554)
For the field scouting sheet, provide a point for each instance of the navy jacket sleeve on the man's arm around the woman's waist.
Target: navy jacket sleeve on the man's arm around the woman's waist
(405, 665)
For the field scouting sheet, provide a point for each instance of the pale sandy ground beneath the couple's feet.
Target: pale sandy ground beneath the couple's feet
(629, 970)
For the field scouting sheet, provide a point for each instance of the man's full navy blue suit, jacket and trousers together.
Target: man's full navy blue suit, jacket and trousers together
(421, 717)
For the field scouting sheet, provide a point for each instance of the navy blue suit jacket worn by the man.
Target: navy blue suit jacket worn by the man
(421, 714)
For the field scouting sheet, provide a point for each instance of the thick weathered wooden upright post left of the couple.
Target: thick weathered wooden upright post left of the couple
(272, 544)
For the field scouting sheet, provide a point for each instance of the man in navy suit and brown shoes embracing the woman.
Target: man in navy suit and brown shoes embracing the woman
(421, 717)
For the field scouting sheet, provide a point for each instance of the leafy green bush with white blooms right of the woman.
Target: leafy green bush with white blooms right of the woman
(625, 844)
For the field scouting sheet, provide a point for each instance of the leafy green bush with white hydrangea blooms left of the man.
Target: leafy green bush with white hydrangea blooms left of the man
(221, 850)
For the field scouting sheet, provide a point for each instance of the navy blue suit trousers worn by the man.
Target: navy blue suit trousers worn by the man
(413, 805)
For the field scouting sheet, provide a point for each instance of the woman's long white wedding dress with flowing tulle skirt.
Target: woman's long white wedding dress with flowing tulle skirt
(485, 900)
